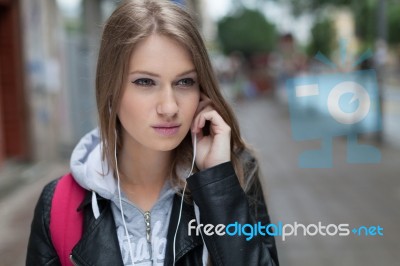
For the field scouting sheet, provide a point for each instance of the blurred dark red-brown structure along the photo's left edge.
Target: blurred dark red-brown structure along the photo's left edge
(14, 119)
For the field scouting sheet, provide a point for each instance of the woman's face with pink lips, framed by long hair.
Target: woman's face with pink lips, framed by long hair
(160, 96)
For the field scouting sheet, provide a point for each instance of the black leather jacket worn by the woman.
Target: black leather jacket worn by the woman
(221, 200)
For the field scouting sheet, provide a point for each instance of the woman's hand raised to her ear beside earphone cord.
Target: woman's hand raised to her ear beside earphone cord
(212, 149)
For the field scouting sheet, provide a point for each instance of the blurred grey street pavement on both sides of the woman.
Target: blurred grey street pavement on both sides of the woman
(354, 194)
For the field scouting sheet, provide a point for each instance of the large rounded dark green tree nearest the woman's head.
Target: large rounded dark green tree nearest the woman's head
(247, 31)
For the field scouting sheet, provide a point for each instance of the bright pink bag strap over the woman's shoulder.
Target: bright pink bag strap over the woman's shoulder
(66, 222)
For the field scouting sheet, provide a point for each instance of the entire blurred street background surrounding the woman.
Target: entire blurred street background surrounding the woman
(48, 51)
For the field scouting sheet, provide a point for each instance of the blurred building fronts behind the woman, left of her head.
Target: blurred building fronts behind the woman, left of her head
(47, 71)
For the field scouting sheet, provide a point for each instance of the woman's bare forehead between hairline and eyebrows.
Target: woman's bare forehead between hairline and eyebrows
(160, 54)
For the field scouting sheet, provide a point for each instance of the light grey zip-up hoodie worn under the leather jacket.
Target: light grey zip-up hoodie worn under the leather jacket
(91, 172)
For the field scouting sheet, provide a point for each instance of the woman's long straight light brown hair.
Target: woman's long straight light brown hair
(132, 22)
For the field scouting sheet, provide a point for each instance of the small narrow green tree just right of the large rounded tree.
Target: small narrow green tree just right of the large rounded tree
(323, 37)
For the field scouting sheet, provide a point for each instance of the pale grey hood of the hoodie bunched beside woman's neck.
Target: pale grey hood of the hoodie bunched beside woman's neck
(88, 168)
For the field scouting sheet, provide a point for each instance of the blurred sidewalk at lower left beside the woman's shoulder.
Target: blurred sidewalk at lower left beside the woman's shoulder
(20, 186)
